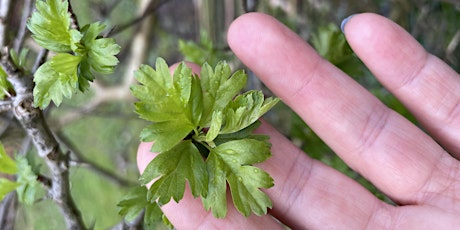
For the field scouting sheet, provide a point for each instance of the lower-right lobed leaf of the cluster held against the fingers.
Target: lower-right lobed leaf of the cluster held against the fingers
(231, 162)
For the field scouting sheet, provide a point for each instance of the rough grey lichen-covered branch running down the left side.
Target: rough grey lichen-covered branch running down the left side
(33, 122)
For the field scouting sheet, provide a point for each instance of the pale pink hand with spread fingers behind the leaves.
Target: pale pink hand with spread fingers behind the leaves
(418, 169)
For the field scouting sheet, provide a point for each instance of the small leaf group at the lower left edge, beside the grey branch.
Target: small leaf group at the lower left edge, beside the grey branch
(26, 183)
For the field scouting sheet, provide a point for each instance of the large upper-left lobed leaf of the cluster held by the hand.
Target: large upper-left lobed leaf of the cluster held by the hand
(167, 104)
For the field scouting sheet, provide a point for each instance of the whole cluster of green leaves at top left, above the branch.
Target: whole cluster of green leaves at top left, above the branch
(80, 53)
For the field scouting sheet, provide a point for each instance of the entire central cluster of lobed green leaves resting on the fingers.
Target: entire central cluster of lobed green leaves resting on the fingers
(202, 129)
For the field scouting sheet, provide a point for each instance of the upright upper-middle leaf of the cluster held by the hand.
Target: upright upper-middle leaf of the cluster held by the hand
(219, 88)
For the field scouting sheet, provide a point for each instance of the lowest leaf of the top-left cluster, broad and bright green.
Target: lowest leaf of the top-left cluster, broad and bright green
(56, 79)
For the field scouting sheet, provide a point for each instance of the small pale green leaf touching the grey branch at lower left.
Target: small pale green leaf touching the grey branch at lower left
(28, 181)
